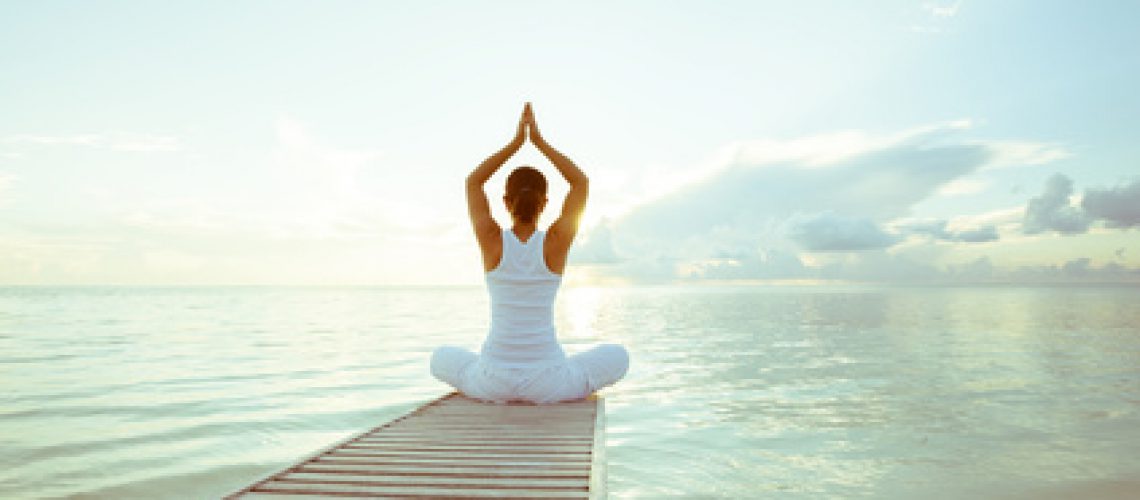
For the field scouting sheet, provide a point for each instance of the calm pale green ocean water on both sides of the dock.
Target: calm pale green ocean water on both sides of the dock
(735, 392)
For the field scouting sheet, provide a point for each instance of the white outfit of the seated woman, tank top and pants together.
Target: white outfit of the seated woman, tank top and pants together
(522, 358)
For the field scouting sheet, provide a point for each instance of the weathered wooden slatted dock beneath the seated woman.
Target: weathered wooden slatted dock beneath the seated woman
(457, 447)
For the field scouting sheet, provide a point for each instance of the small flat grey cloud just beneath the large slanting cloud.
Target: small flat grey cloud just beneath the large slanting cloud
(834, 233)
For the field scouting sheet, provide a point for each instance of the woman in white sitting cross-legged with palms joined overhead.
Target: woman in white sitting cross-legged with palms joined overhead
(522, 359)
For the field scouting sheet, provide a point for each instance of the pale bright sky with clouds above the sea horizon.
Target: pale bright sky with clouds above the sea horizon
(304, 143)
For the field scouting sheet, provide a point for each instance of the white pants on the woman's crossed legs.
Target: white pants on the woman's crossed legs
(575, 379)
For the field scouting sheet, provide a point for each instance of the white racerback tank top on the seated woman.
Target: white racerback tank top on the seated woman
(523, 292)
